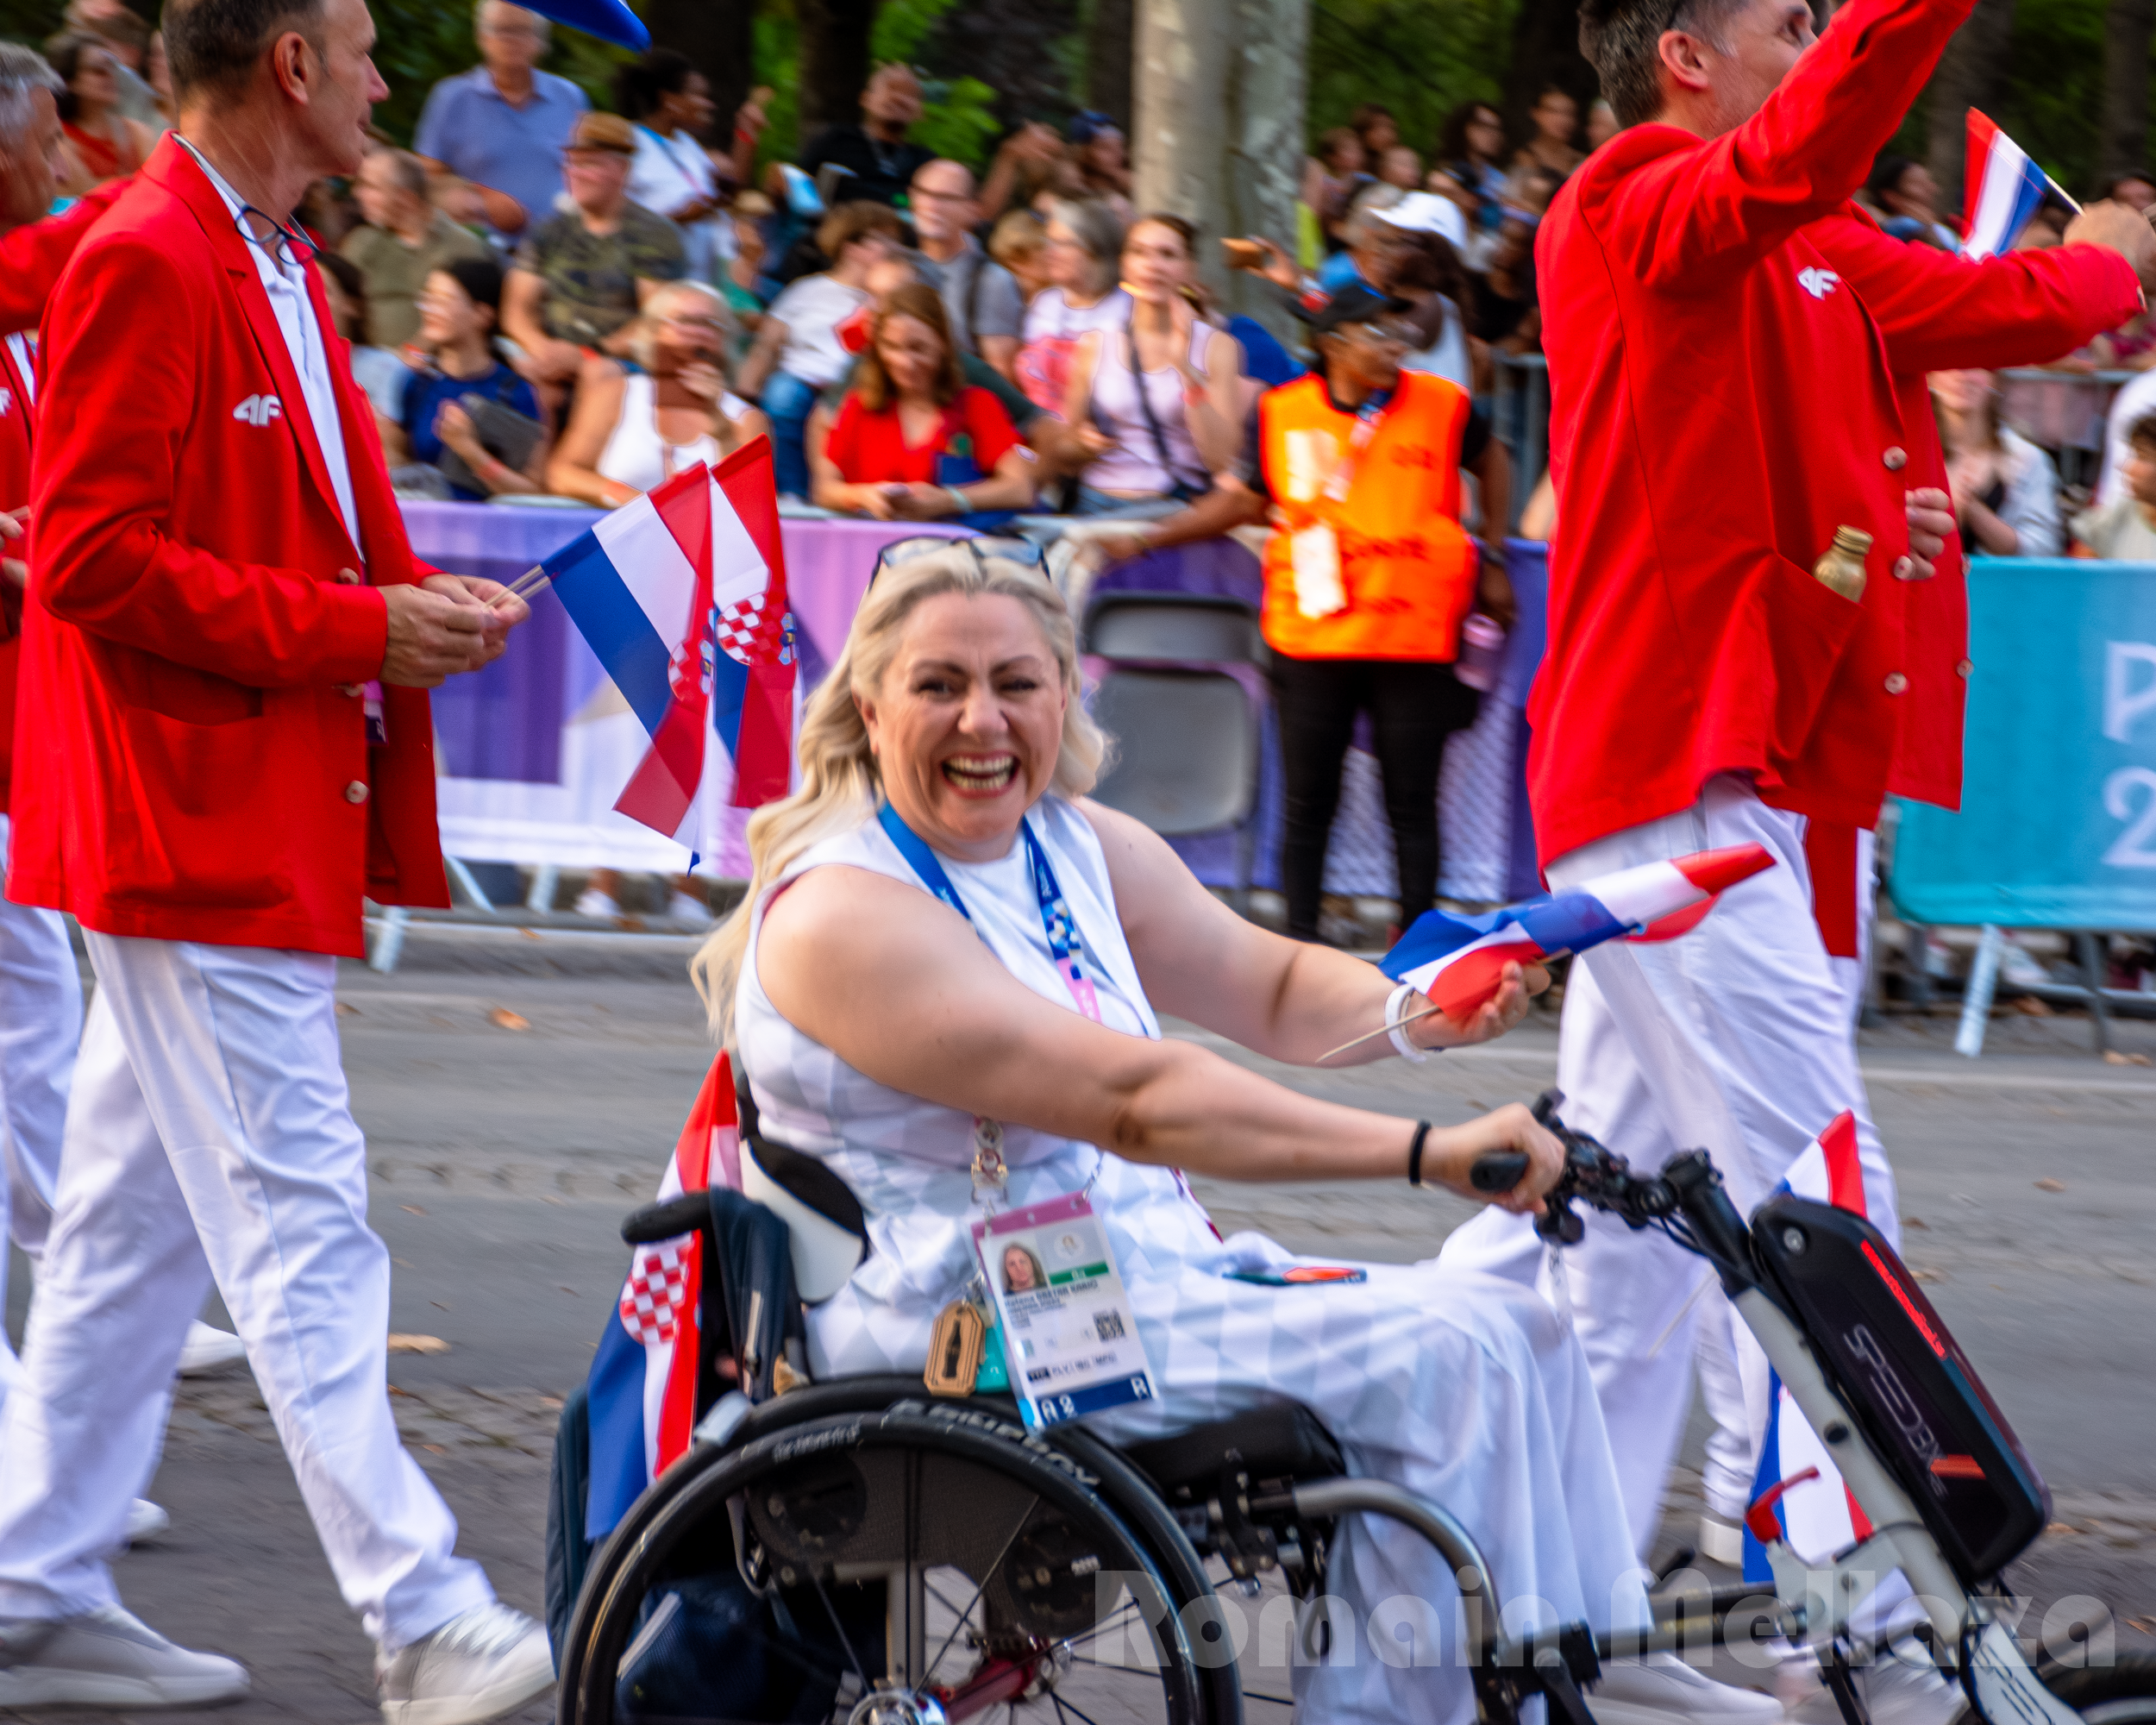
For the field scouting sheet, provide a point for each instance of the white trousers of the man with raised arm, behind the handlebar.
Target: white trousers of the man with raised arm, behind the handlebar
(1735, 1038)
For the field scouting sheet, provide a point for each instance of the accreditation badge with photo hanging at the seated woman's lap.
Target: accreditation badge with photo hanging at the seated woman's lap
(1066, 1321)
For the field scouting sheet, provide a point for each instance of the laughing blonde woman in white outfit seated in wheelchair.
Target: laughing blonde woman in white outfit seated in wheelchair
(943, 989)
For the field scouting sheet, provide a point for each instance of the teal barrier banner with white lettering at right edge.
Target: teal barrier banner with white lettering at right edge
(2058, 823)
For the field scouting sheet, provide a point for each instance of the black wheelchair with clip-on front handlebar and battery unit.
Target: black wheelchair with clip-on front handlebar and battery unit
(868, 1554)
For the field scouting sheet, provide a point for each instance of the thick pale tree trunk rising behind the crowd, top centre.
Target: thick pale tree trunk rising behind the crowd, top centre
(1219, 94)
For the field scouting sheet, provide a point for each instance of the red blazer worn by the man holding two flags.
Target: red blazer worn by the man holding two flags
(189, 637)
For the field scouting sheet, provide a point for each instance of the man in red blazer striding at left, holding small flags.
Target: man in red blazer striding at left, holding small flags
(225, 665)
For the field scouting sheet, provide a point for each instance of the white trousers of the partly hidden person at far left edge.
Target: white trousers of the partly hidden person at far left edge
(40, 1025)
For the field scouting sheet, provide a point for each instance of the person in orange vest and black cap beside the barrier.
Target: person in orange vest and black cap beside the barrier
(1368, 579)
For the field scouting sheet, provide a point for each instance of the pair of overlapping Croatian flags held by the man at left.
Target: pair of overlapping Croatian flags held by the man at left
(682, 594)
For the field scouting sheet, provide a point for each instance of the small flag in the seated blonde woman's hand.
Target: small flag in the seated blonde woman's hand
(1461, 961)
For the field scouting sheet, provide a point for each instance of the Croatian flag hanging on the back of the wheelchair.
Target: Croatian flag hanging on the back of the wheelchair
(644, 1379)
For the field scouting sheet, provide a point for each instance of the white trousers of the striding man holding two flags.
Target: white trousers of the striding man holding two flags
(210, 1137)
